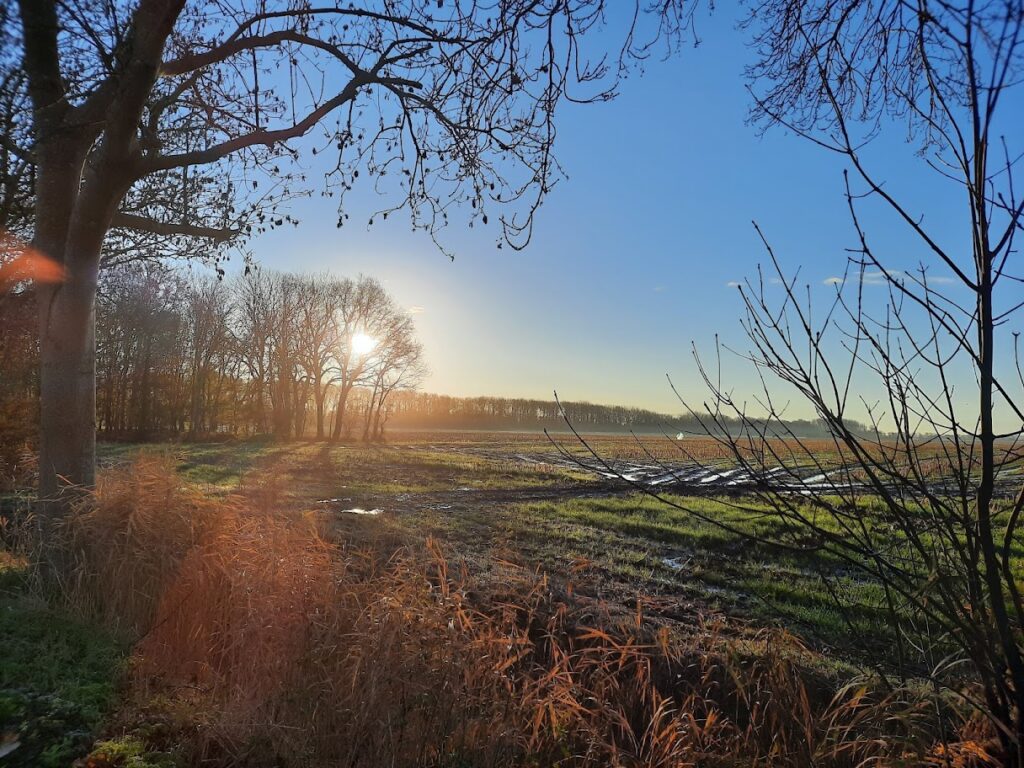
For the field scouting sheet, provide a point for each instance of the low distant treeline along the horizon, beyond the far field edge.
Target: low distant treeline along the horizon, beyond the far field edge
(424, 411)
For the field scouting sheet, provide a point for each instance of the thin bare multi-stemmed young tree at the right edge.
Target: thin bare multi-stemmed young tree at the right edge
(925, 503)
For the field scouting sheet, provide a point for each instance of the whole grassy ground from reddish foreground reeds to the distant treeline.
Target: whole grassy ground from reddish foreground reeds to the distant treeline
(263, 604)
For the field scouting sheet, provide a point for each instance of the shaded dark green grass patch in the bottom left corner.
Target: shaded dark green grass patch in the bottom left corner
(59, 676)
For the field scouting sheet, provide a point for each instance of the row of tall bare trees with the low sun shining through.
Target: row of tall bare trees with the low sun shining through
(262, 354)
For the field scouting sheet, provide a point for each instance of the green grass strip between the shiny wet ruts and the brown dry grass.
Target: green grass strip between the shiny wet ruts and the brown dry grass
(636, 544)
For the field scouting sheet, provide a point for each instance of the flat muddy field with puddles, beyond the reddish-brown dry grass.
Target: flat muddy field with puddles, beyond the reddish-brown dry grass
(510, 497)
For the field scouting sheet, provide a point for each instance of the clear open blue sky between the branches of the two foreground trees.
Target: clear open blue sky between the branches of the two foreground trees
(633, 255)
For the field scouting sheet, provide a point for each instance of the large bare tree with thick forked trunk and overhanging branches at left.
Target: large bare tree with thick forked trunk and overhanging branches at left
(162, 120)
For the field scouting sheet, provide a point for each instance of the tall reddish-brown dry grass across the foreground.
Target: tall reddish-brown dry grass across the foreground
(286, 651)
